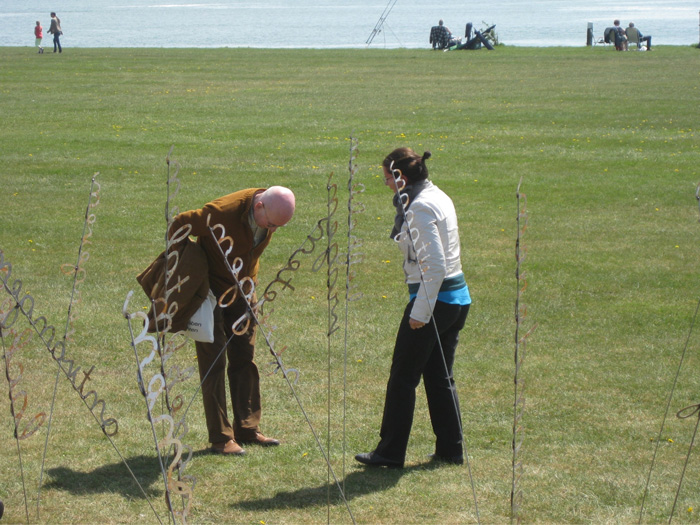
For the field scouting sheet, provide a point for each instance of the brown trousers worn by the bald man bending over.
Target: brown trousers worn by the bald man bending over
(243, 378)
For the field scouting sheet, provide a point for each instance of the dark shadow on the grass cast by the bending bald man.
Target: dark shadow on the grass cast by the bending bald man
(112, 478)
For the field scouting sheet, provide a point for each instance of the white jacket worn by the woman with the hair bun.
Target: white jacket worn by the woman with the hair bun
(434, 248)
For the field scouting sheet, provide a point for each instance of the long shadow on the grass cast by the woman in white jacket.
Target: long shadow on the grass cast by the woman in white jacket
(358, 483)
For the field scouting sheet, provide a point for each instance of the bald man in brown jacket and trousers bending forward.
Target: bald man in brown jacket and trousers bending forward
(250, 217)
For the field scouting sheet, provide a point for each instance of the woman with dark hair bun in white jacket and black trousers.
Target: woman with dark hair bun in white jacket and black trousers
(426, 231)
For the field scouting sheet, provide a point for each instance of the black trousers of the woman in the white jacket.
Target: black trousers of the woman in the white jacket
(417, 354)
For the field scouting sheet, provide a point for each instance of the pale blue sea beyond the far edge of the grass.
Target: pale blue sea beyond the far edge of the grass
(339, 24)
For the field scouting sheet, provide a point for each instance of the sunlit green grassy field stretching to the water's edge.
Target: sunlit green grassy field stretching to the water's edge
(608, 149)
